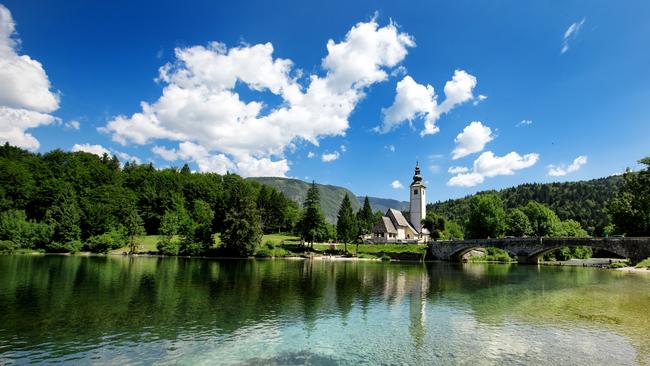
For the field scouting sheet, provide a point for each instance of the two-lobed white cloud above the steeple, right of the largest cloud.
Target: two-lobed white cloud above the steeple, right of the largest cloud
(417, 101)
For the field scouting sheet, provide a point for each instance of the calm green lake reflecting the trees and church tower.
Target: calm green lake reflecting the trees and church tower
(143, 310)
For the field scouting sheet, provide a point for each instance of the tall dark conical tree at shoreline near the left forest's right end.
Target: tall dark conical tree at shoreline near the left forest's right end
(242, 226)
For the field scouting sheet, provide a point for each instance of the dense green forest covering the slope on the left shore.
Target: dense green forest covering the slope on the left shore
(66, 201)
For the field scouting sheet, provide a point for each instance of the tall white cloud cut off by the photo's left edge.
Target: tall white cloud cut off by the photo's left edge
(26, 98)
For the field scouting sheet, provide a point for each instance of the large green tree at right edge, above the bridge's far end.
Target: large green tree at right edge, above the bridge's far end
(630, 208)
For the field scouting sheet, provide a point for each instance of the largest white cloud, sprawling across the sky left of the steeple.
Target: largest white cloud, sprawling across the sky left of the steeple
(199, 106)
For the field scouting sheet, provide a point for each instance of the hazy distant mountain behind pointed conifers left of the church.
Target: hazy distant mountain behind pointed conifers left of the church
(296, 190)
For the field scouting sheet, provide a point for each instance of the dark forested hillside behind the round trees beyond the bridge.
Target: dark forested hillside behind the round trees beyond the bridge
(583, 201)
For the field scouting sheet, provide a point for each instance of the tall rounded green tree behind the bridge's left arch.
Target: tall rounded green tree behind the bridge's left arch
(486, 218)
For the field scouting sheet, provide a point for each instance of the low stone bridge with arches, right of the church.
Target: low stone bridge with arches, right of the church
(529, 250)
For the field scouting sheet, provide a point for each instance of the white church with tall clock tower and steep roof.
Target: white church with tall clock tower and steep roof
(393, 227)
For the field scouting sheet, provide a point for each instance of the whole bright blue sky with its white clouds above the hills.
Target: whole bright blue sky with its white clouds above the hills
(254, 87)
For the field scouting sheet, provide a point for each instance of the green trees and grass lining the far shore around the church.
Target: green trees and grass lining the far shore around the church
(75, 201)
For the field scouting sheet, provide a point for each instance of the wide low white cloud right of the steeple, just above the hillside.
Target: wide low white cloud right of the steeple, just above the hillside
(489, 165)
